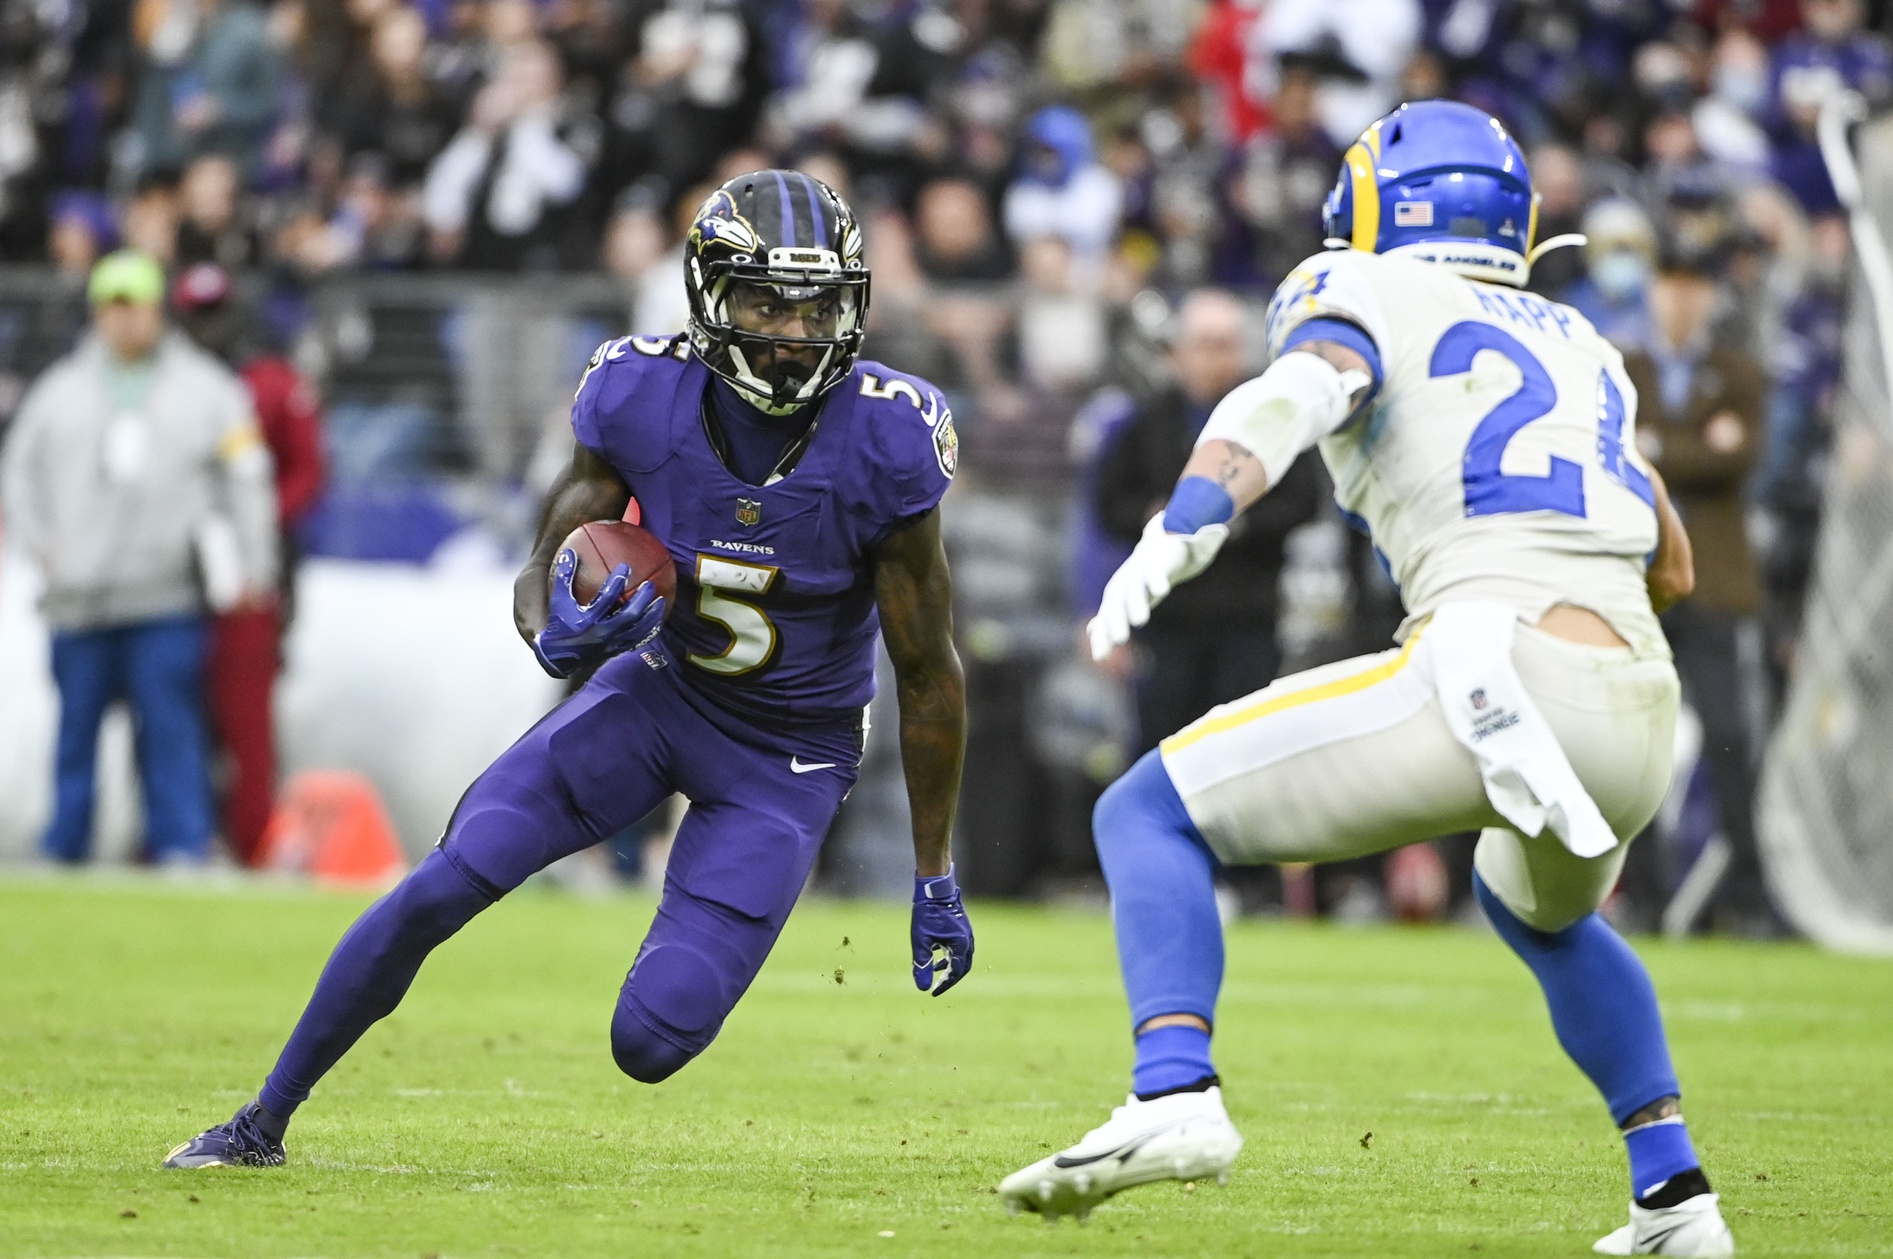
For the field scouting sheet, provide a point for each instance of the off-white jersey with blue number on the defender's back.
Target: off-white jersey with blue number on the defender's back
(1498, 461)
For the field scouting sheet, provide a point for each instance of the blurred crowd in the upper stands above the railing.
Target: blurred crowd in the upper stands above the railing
(1167, 143)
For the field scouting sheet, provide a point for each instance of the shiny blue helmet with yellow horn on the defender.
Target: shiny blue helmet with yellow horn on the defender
(1442, 183)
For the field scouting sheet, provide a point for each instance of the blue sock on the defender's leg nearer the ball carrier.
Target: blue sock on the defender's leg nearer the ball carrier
(1163, 904)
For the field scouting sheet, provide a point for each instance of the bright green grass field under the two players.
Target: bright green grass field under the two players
(843, 1114)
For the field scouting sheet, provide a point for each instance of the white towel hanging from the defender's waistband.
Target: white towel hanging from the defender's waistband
(1529, 779)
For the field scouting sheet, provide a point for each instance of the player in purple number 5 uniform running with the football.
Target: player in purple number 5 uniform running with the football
(798, 491)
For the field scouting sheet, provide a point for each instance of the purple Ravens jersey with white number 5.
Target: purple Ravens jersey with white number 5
(775, 614)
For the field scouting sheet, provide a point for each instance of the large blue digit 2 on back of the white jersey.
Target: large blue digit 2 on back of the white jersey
(1491, 491)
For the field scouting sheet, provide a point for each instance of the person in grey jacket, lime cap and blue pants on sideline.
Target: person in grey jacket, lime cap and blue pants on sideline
(139, 484)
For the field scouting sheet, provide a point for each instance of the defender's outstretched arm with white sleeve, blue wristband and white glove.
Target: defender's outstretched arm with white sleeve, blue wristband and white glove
(1248, 446)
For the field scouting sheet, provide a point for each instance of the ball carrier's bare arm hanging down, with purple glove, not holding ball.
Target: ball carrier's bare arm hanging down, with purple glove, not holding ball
(913, 592)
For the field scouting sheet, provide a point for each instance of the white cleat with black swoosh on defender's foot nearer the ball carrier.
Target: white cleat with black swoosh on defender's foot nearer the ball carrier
(1180, 1137)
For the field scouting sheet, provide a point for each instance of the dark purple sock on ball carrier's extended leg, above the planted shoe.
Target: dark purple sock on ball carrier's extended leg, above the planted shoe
(370, 972)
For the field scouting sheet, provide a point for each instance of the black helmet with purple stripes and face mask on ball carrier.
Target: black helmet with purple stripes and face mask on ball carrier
(777, 289)
